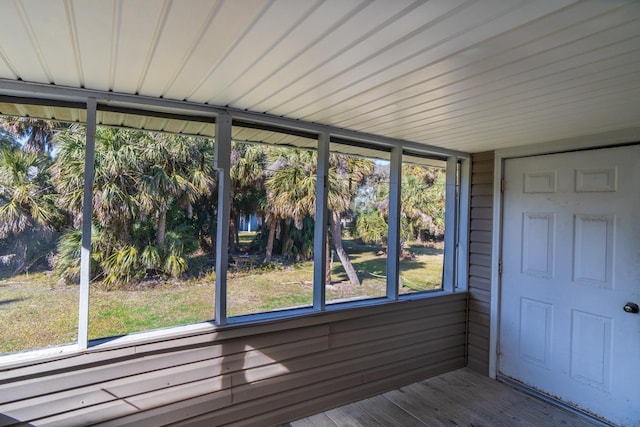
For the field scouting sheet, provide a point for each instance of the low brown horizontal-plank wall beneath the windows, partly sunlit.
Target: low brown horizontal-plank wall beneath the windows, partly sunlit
(257, 375)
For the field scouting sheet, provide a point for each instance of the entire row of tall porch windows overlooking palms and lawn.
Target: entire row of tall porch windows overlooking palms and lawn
(165, 252)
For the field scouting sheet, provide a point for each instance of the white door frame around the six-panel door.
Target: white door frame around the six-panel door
(601, 140)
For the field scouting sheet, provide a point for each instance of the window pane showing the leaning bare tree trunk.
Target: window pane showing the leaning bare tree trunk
(357, 238)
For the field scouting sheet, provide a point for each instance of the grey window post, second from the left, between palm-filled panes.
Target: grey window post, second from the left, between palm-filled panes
(222, 163)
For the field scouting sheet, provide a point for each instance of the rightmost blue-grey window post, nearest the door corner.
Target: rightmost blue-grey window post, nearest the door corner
(450, 229)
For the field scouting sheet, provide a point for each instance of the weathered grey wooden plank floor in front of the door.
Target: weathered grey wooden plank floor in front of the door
(458, 398)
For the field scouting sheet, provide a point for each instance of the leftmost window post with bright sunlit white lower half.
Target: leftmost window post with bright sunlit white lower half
(87, 210)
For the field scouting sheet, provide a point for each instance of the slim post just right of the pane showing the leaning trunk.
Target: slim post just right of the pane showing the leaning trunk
(393, 232)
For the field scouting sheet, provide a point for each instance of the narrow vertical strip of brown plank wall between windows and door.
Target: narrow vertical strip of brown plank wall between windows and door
(480, 261)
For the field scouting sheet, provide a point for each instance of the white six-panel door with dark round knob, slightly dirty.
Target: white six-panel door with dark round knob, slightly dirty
(571, 262)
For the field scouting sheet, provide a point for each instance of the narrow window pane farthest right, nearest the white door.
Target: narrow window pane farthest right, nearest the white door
(422, 227)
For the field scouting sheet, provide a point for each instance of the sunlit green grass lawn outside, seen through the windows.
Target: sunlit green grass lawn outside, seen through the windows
(36, 312)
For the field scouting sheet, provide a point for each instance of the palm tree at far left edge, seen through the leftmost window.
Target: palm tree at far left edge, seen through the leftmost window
(28, 209)
